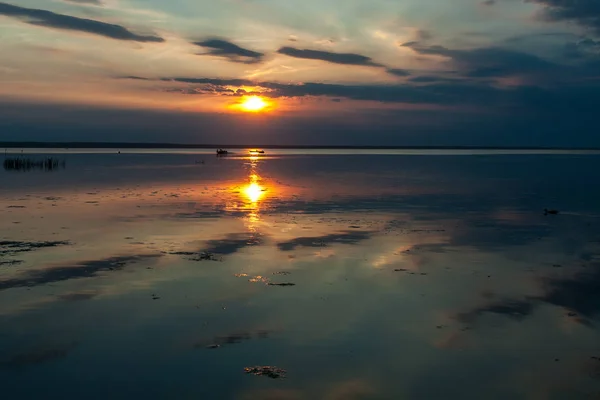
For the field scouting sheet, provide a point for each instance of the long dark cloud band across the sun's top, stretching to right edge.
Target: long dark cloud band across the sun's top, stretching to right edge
(448, 92)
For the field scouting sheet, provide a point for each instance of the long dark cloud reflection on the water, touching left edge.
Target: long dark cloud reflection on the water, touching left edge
(86, 269)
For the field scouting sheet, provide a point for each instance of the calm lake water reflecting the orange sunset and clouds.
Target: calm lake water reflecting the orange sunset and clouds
(415, 276)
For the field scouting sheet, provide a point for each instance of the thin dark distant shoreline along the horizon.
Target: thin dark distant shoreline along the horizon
(113, 145)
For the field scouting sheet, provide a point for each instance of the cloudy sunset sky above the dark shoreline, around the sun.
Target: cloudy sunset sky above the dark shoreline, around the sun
(333, 72)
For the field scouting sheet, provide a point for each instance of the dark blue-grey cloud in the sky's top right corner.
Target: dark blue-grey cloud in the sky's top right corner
(583, 12)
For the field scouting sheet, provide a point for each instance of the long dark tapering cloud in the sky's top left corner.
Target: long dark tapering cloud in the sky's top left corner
(66, 22)
